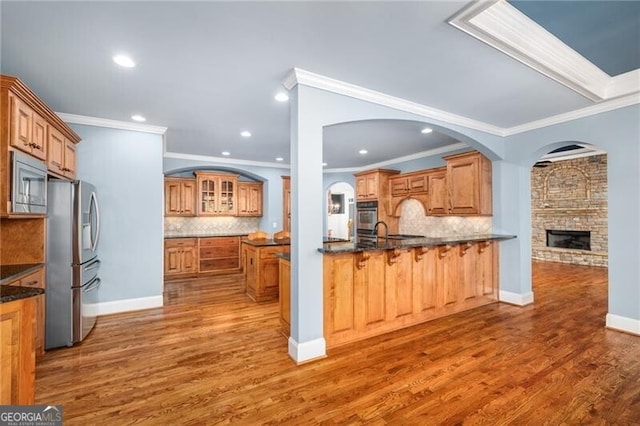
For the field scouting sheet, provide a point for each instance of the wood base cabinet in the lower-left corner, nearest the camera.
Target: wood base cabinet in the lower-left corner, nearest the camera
(17, 351)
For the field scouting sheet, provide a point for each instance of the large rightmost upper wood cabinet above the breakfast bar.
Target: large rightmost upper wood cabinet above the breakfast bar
(469, 184)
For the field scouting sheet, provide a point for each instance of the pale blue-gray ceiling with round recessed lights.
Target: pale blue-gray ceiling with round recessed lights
(208, 70)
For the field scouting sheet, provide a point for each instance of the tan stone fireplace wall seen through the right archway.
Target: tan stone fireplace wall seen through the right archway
(570, 195)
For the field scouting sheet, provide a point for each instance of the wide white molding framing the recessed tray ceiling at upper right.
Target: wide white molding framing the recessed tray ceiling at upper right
(505, 28)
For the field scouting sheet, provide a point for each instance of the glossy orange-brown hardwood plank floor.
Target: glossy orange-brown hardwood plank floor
(213, 356)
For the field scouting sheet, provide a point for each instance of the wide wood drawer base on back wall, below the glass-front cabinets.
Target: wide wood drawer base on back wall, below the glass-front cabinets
(219, 255)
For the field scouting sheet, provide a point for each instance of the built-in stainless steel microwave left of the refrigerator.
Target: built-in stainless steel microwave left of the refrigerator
(28, 184)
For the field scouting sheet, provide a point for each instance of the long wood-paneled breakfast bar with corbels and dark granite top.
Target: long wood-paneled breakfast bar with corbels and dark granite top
(371, 289)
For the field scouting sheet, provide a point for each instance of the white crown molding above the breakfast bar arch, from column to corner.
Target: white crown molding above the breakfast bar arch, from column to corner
(300, 76)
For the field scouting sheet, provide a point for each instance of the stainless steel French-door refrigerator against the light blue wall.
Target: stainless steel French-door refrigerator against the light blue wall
(73, 231)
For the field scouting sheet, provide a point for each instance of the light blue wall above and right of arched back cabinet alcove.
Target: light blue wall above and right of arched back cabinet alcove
(270, 176)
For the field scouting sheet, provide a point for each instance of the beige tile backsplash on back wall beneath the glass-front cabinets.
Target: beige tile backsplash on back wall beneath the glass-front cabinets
(223, 225)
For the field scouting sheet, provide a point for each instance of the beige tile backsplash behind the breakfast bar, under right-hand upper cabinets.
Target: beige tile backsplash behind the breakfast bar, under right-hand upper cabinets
(413, 221)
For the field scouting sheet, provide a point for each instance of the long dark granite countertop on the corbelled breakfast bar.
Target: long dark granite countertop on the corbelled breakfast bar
(409, 243)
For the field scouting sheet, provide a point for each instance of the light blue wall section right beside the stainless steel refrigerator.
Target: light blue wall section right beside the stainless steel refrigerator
(126, 168)
